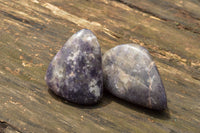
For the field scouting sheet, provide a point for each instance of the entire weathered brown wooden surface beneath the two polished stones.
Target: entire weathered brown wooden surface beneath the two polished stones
(32, 31)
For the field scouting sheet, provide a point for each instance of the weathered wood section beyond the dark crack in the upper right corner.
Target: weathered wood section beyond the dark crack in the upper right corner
(185, 14)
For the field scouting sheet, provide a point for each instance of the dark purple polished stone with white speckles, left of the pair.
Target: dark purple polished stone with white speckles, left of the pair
(75, 73)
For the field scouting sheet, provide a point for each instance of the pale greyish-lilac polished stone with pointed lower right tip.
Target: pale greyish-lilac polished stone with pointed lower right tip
(130, 74)
